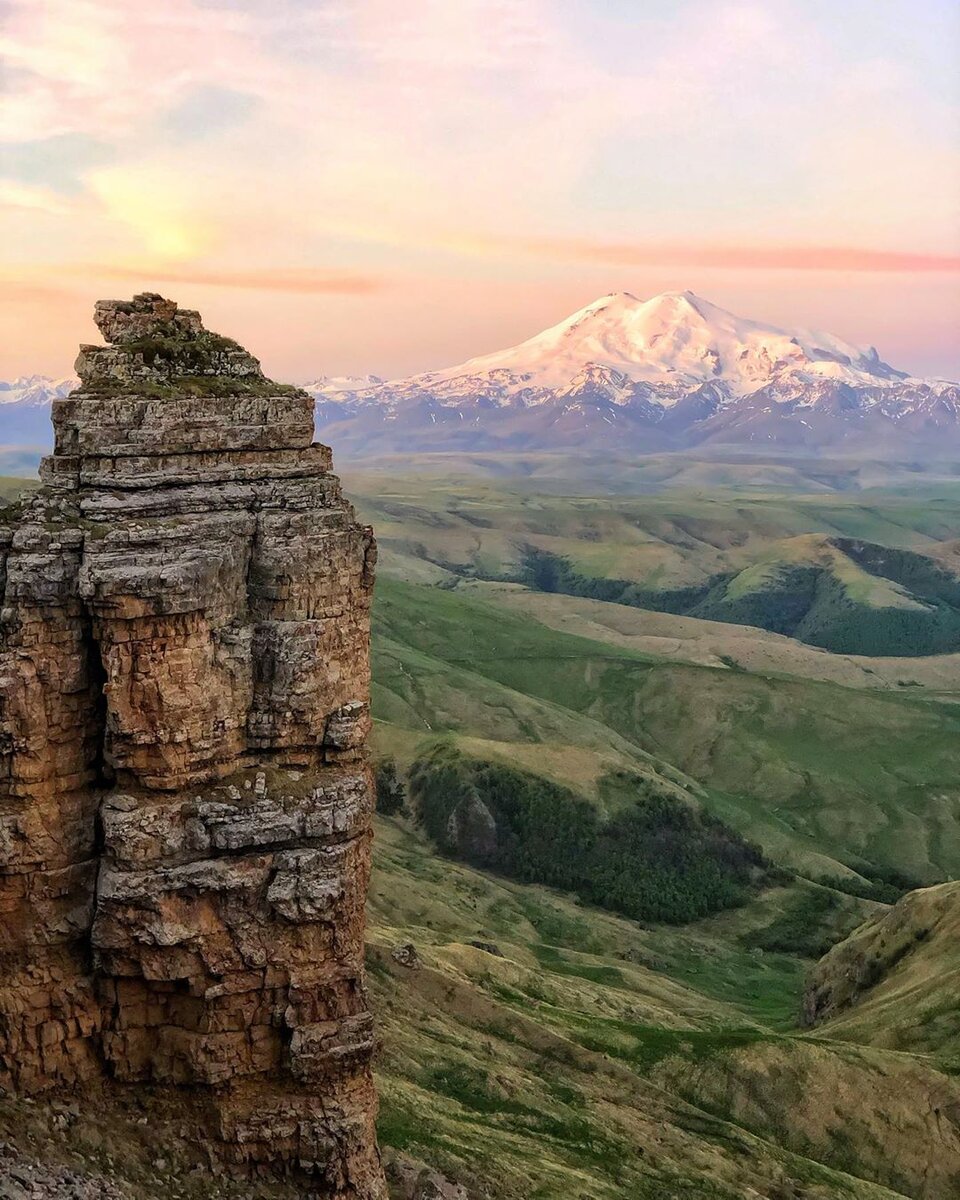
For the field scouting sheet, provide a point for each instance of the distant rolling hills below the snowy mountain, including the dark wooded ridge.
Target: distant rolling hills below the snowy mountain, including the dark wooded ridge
(748, 557)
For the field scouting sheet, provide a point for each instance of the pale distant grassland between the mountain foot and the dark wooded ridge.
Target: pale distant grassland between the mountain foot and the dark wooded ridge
(663, 541)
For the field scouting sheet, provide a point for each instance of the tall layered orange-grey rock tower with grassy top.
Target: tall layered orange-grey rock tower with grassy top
(184, 794)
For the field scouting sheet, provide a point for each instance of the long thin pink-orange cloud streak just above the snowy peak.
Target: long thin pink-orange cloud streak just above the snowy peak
(788, 259)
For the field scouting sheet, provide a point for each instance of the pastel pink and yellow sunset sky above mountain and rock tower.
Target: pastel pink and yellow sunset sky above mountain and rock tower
(393, 185)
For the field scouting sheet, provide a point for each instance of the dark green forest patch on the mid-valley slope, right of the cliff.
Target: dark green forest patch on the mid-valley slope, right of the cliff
(655, 859)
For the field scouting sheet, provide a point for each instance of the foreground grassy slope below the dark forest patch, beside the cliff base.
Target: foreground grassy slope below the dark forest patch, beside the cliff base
(590, 1059)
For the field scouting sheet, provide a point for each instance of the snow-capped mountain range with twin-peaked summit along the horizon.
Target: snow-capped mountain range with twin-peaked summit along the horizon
(626, 375)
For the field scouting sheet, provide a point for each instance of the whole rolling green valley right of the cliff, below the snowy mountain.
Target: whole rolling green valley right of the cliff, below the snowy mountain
(559, 1043)
